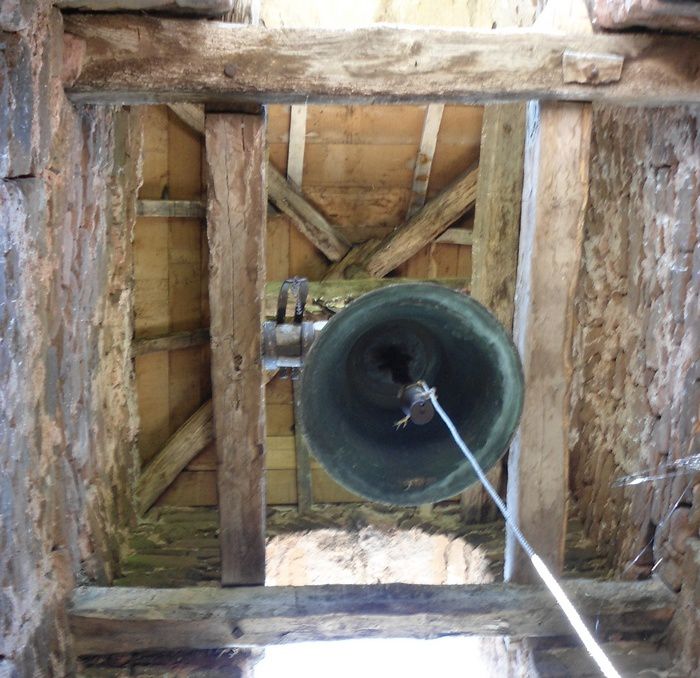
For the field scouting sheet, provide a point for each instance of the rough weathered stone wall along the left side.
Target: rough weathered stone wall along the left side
(67, 416)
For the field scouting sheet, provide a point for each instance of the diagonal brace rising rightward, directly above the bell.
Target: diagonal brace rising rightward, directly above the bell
(423, 227)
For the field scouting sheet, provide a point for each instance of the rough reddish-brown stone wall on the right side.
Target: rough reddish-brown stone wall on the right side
(637, 339)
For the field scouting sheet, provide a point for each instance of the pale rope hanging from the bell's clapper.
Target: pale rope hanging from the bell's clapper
(550, 582)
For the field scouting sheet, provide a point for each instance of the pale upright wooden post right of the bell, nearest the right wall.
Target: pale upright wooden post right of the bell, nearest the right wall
(555, 194)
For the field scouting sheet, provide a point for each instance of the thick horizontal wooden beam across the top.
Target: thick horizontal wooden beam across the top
(142, 59)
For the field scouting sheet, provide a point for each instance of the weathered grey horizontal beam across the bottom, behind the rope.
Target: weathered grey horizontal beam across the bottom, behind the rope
(119, 620)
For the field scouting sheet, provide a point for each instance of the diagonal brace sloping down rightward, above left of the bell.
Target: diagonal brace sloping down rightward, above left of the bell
(306, 218)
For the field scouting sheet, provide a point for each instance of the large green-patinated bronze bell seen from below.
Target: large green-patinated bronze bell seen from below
(368, 425)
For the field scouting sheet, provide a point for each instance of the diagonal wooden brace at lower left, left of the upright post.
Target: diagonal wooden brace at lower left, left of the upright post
(182, 447)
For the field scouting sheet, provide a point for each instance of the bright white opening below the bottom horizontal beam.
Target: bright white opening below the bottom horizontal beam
(376, 658)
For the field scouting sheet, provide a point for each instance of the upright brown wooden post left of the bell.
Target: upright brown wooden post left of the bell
(236, 210)
